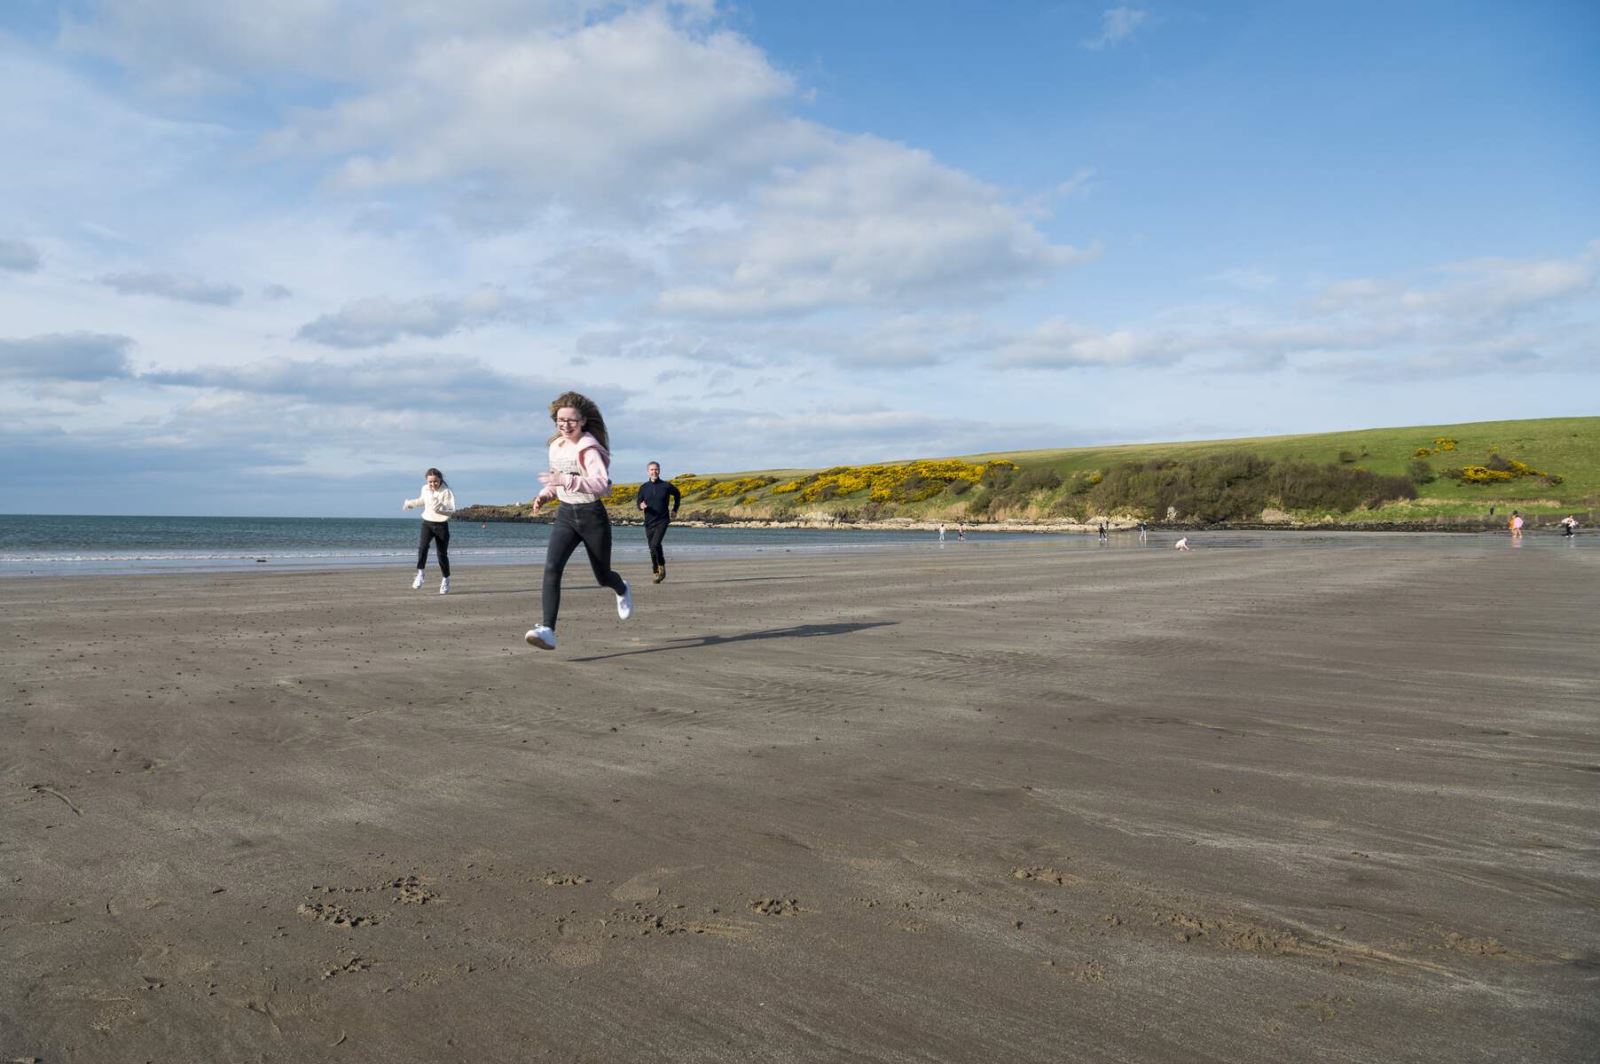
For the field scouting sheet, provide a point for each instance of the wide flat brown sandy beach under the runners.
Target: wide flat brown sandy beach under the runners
(988, 804)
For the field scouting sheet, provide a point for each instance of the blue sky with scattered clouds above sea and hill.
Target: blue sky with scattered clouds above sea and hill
(279, 260)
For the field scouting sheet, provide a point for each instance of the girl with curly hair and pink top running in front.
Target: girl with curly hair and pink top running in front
(580, 476)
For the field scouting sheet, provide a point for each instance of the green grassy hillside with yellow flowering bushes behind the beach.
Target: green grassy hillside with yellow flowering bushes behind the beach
(1454, 474)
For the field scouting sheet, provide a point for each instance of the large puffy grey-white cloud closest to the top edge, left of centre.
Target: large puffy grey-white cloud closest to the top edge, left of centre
(615, 114)
